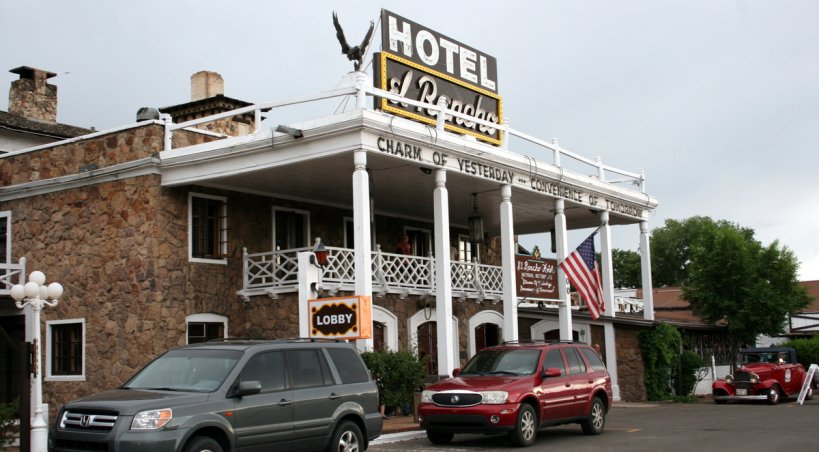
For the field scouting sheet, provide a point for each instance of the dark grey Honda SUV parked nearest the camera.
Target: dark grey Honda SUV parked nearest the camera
(232, 395)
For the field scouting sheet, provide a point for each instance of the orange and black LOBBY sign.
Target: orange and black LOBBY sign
(341, 318)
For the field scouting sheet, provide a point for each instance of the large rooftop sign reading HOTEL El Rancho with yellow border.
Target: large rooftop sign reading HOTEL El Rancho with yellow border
(424, 65)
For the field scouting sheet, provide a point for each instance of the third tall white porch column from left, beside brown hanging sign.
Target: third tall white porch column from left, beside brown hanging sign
(510, 301)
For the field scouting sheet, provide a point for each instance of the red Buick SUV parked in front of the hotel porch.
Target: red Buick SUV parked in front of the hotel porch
(518, 388)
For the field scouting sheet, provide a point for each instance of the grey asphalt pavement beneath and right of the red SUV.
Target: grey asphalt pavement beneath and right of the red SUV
(667, 427)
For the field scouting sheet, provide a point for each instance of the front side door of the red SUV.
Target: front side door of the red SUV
(555, 393)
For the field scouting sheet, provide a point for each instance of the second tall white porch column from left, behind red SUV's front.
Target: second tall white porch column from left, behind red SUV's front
(443, 278)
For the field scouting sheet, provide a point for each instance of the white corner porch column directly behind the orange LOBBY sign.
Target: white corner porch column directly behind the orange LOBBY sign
(361, 235)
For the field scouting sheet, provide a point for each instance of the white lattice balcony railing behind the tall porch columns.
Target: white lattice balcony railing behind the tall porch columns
(276, 272)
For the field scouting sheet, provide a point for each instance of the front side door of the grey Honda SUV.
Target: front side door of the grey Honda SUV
(264, 421)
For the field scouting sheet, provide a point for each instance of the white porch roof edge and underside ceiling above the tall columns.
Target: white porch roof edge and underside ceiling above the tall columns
(318, 169)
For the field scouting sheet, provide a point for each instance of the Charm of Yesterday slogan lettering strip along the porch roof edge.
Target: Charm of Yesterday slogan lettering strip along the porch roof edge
(489, 170)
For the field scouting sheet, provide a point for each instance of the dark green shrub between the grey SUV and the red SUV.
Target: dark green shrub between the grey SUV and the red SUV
(399, 374)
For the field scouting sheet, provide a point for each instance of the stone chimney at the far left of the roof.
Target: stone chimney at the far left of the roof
(32, 96)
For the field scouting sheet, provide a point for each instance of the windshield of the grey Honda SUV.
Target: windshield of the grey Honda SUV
(188, 370)
